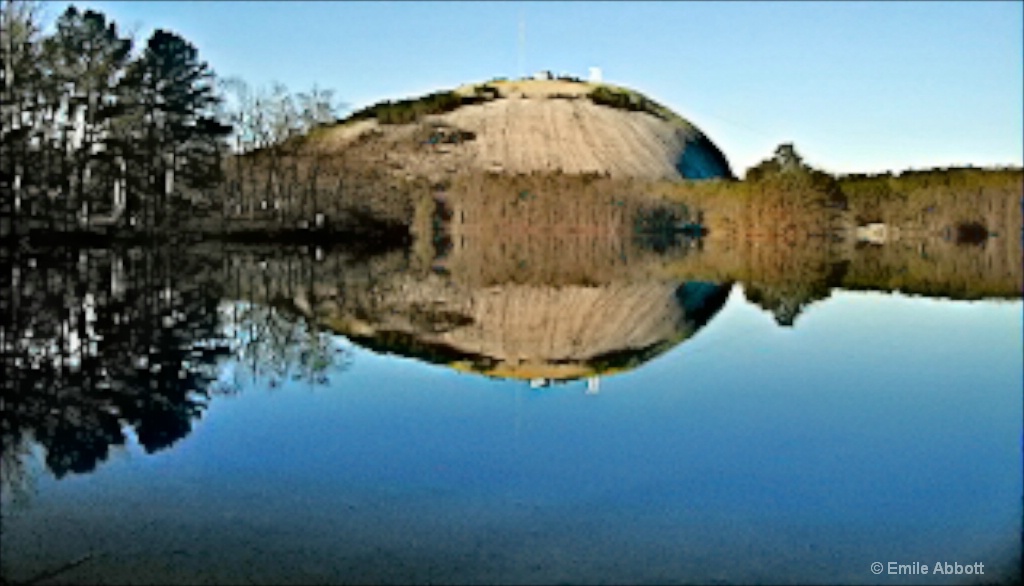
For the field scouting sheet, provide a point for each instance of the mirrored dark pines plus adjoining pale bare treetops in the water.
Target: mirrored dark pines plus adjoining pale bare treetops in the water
(97, 342)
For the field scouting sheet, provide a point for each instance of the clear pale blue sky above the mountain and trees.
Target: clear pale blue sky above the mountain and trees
(857, 87)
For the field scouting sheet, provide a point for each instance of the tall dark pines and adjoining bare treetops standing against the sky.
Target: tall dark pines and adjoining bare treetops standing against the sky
(99, 131)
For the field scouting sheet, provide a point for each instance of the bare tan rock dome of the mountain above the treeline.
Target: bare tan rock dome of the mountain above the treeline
(538, 128)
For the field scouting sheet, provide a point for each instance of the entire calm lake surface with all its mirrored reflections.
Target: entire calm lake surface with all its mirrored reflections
(543, 410)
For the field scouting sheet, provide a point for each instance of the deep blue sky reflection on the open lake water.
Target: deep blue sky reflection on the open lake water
(878, 429)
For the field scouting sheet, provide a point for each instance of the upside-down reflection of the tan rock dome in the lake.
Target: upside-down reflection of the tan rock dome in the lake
(529, 332)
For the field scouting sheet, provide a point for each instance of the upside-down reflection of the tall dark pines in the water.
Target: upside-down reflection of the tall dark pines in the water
(94, 349)
